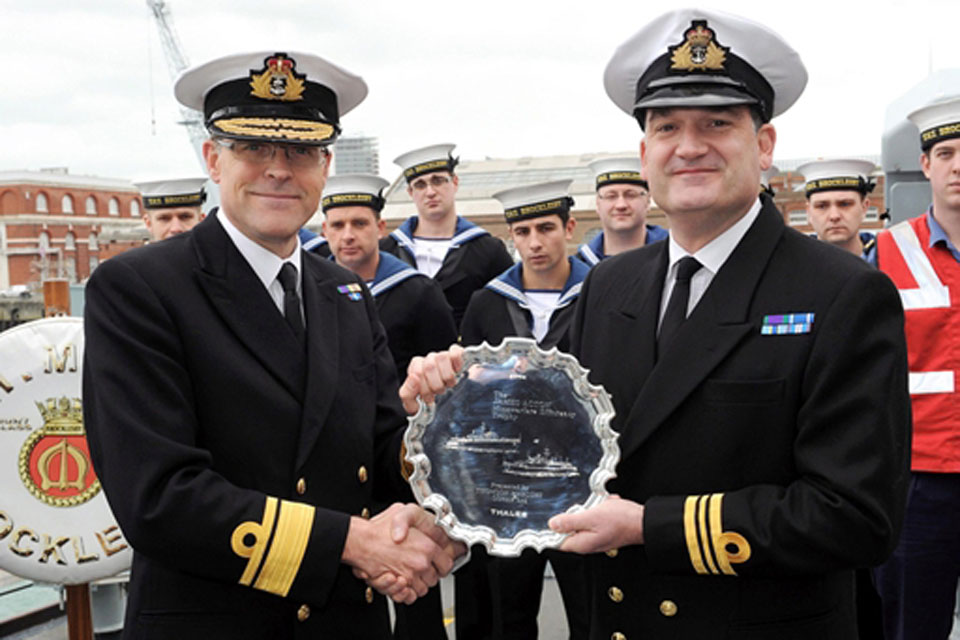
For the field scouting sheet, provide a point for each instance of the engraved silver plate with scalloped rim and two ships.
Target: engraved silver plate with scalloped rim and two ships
(521, 437)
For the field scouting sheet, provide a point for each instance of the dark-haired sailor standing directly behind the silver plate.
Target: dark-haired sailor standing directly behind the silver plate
(535, 298)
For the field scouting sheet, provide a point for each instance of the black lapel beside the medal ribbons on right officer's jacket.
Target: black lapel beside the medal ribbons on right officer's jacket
(718, 323)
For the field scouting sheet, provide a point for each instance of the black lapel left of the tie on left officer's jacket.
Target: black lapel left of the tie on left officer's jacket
(245, 306)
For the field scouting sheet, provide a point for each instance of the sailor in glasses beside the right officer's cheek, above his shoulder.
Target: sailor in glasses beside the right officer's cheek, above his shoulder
(623, 199)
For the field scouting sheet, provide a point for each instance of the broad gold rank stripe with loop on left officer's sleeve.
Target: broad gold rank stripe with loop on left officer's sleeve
(284, 549)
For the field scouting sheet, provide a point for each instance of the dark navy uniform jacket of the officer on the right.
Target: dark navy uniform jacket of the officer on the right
(769, 444)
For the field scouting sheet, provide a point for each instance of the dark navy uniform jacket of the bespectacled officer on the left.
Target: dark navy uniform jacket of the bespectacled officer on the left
(233, 456)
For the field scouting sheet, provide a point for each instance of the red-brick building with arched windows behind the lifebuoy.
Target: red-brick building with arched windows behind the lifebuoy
(57, 225)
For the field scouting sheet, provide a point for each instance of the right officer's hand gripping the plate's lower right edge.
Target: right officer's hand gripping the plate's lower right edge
(612, 524)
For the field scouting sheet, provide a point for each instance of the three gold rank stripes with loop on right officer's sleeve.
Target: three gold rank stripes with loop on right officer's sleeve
(712, 550)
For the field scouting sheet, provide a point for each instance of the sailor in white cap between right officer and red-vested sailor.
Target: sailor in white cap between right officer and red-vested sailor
(838, 196)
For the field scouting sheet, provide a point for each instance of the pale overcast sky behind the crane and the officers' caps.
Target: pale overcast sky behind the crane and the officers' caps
(88, 86)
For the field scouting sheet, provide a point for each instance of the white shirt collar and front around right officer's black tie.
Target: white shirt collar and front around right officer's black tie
(711, 257)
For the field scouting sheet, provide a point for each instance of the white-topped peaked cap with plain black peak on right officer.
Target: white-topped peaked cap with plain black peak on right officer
(700, 58)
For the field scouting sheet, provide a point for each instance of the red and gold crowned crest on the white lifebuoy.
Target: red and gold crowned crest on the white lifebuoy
(55, 461)
